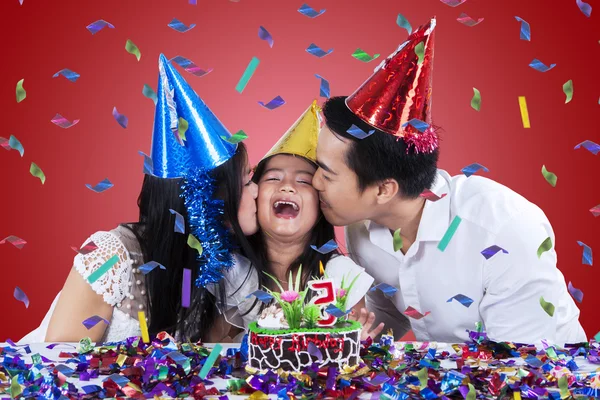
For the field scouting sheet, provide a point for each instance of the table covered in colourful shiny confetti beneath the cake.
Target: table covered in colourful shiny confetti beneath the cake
(132, 369)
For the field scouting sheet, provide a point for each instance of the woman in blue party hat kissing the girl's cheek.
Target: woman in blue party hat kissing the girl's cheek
(182, 180)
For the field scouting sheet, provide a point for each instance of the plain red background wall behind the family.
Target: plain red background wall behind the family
(42, 37)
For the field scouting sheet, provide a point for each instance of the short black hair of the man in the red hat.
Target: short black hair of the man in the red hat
(380, 156)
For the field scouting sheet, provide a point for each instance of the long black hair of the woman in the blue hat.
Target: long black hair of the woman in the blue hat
(160, 243)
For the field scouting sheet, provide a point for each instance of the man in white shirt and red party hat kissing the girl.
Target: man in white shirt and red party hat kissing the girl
(424, 232)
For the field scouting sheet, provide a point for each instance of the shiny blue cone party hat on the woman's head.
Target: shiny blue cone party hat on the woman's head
(202, 146)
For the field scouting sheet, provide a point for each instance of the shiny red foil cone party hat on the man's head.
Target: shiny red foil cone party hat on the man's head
(399, 91)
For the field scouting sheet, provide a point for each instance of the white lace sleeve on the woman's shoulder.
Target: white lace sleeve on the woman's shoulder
(113, 285)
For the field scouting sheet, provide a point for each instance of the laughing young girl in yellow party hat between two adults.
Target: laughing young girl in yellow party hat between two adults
(290, 222)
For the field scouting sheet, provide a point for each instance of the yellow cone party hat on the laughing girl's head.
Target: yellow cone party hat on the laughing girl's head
(301, 138)
